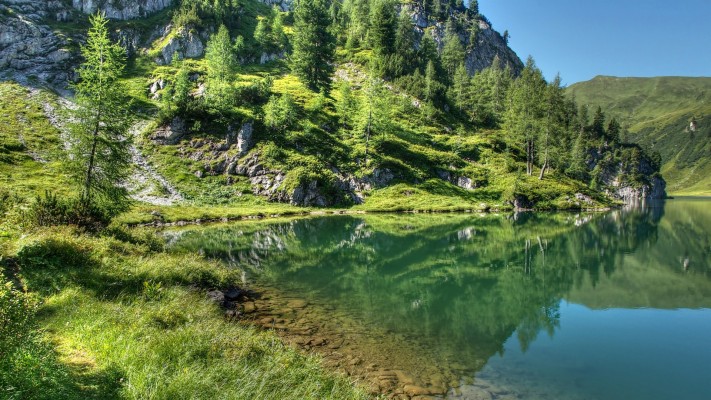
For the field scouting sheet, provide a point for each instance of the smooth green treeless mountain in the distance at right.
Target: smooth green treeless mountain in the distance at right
(671, 115)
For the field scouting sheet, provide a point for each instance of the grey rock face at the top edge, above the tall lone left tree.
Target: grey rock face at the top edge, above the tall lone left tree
(122, 9)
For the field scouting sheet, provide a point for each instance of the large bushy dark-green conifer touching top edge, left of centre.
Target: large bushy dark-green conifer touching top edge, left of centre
(314, 45)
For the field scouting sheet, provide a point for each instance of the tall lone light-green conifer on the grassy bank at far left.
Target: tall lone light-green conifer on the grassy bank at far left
(99, 158)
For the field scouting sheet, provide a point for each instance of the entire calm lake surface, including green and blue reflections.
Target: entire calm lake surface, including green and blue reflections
(610, 305)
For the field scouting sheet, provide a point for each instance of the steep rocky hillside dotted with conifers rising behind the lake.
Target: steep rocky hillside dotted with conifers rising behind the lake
(376, 104)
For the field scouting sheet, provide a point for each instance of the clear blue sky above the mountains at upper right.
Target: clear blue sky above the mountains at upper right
(584, 38)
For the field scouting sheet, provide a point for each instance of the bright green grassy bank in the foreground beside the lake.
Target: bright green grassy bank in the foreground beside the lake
(115, 317)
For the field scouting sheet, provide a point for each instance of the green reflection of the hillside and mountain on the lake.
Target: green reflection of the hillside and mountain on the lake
(463, 284)
